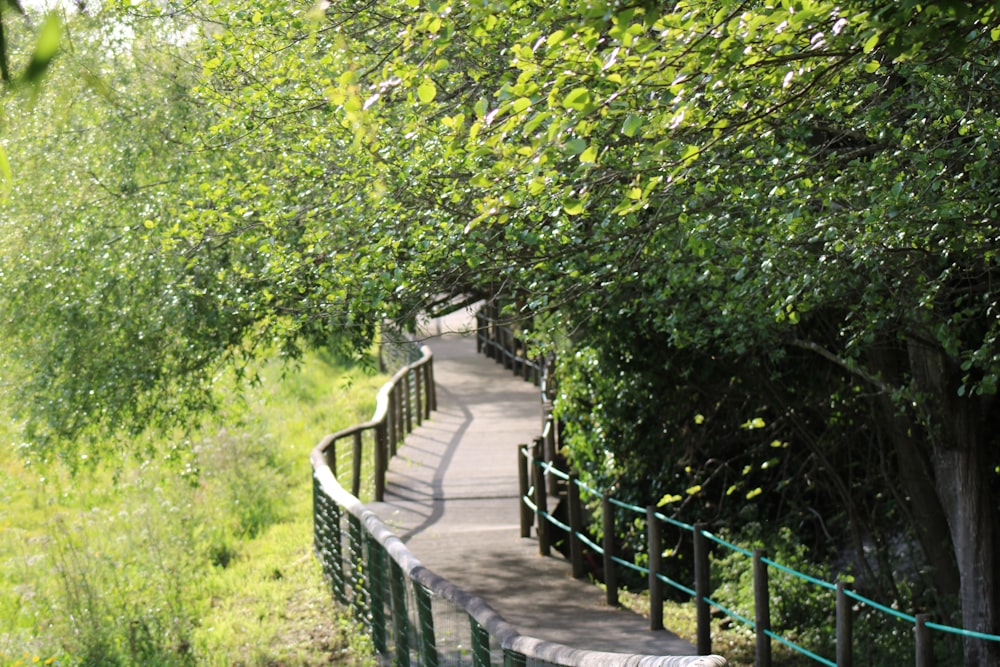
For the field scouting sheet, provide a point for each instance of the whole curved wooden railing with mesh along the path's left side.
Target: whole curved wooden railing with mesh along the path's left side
(414, 616)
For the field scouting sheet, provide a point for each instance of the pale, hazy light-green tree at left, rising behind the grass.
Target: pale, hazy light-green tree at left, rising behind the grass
(97, 310)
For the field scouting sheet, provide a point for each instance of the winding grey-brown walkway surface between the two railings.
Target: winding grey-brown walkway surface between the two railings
(451, 496)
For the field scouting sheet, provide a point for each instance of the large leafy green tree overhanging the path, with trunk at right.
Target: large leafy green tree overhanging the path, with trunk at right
(761, 187)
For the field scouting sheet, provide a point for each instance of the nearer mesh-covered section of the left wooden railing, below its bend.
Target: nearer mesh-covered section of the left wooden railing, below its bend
(417, 618)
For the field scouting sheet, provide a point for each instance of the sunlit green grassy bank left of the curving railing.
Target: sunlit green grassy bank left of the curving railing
(142, 562)
